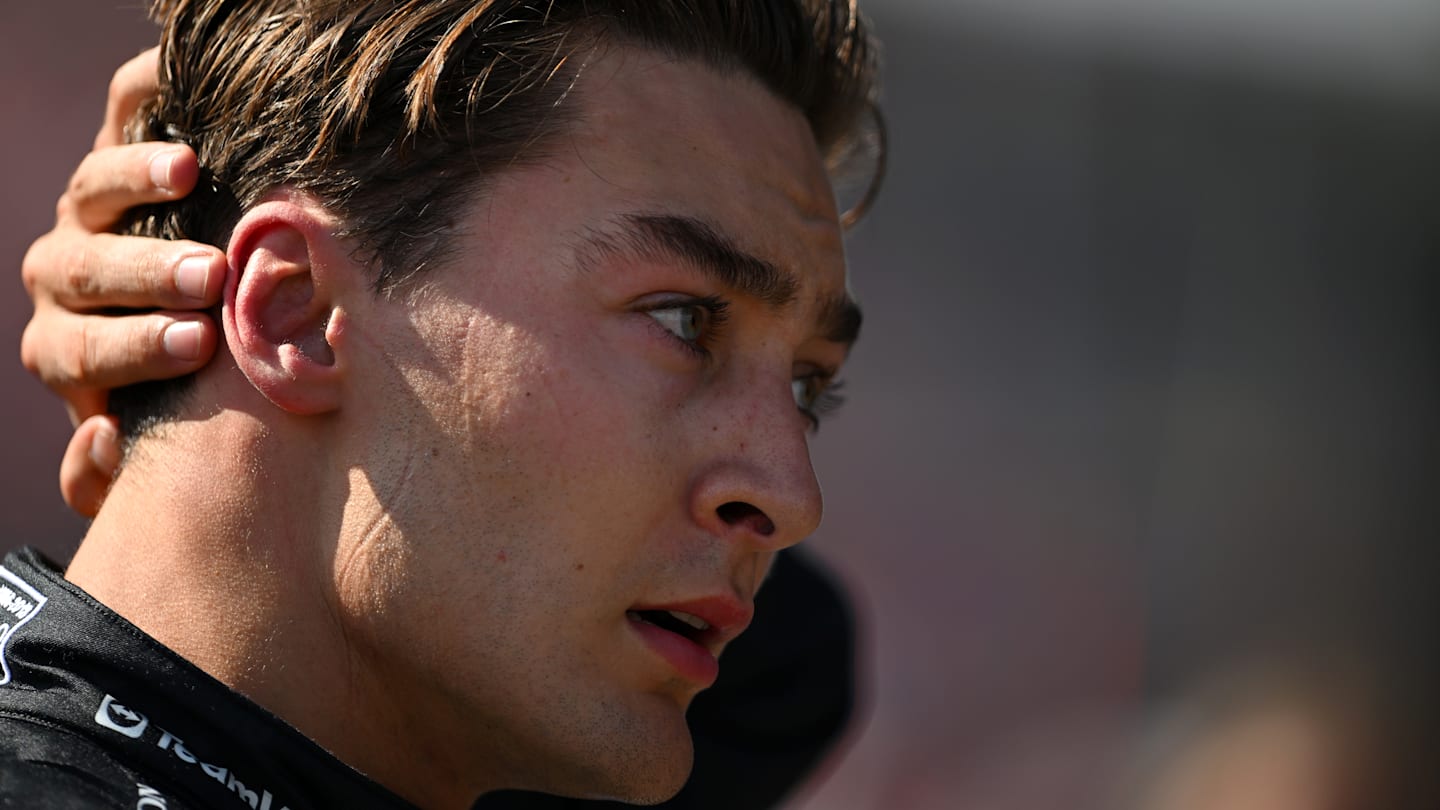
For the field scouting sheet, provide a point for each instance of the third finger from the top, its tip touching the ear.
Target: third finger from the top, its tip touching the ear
(90, 272)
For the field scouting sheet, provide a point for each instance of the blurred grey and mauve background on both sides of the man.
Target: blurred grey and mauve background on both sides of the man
(1137, 484)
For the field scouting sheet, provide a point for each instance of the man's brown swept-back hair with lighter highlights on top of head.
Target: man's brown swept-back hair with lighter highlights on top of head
(392, 112)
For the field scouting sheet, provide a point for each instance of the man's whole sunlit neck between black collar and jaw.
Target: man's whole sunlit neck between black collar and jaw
(233, 561)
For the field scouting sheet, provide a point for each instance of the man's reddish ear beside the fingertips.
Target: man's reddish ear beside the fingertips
(283, 316)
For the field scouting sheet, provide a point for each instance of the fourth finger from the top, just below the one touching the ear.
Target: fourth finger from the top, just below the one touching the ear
(70, 351)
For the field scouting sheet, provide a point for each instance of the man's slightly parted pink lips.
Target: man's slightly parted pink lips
(692, 635)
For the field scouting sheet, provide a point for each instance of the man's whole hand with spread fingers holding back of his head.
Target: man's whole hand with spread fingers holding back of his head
(80, 272)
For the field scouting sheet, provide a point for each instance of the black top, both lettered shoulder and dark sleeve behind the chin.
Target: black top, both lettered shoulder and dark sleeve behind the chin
(97, 714)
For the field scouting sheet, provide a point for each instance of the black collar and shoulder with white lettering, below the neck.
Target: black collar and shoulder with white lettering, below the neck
(97, 714)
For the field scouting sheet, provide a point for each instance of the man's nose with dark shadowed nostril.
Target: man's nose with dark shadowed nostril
(758, 485)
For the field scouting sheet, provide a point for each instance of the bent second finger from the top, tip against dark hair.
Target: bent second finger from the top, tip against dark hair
(114, 179)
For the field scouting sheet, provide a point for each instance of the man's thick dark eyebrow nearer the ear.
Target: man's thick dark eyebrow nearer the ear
(696, 243)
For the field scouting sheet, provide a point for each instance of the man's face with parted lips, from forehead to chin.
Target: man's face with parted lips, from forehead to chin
(591, 417)
